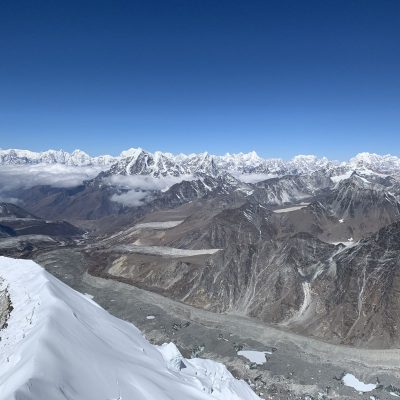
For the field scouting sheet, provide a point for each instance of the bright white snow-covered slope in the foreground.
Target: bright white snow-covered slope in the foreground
(59, 344)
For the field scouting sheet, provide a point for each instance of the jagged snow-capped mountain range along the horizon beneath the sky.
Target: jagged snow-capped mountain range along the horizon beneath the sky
(136, 161)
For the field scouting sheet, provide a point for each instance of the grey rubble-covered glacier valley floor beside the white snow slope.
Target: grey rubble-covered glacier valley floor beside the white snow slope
(296, 367)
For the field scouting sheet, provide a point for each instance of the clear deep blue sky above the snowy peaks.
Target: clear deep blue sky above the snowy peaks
(280, 77)
